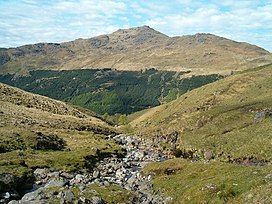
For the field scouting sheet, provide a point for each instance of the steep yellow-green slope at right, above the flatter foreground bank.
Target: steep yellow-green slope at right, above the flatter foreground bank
(230, 119)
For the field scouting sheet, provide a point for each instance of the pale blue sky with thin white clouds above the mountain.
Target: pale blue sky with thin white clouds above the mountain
(31, 21)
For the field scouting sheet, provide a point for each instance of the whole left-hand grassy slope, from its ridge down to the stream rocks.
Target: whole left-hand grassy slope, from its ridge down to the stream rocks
(25, 115)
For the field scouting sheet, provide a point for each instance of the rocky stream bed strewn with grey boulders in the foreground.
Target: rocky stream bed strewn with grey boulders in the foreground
(51, 185)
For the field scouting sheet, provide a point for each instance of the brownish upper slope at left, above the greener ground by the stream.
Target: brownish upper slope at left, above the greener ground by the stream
(23, 109)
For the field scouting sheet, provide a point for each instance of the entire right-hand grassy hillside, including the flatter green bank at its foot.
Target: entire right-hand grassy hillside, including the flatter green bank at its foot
(222, 132)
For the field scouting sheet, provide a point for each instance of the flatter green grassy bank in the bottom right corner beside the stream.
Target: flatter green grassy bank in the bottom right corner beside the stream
(230, 183)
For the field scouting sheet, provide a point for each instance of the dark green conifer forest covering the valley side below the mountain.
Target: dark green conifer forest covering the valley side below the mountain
(107, 90)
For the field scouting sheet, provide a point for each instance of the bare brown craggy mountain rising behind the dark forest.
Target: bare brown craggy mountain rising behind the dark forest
(135, 49)
